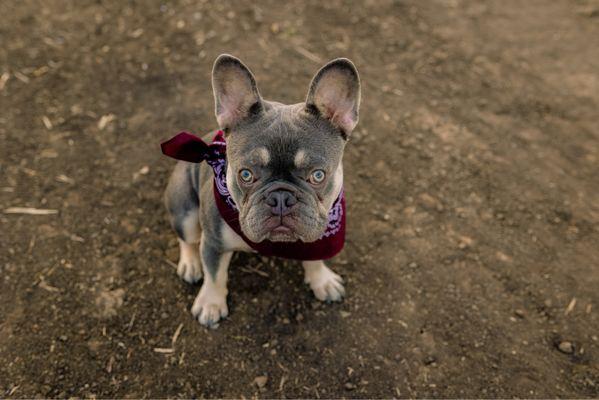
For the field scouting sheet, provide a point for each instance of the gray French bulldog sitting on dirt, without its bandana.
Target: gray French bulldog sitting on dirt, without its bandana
(283, 173)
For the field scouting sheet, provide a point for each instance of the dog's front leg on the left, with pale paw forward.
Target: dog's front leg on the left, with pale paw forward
(210, 304)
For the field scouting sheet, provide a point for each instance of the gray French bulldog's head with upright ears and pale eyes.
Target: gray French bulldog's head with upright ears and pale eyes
(284, 166)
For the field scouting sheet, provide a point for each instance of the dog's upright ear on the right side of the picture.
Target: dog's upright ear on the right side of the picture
(335, 94)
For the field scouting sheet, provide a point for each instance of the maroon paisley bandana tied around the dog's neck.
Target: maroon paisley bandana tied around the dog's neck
(188, 147)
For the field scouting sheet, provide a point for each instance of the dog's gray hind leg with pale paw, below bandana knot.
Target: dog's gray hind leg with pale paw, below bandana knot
(182, 202)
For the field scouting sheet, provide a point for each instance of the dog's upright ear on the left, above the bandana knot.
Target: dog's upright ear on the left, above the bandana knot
(236, 95)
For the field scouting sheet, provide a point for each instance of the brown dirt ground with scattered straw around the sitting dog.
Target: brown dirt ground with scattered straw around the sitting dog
(472, 259)
